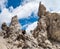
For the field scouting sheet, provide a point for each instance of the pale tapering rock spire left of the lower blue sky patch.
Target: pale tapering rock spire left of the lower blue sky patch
(14, 28)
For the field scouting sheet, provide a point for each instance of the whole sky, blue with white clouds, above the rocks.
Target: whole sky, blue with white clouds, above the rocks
(26, 10)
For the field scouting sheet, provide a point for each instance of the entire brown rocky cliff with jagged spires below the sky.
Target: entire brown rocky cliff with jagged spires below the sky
(44, 36)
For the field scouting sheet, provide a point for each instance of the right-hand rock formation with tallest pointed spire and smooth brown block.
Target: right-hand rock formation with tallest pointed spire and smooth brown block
(47, 28)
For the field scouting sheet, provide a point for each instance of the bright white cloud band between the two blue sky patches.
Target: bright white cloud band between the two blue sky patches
(21, 11)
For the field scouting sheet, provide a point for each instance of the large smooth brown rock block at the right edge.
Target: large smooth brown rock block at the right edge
(54, 26)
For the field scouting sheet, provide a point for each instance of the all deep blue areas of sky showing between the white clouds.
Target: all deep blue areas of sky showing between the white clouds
(23, 21)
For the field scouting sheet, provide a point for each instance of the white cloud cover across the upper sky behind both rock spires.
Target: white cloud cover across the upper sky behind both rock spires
(25, 9)
